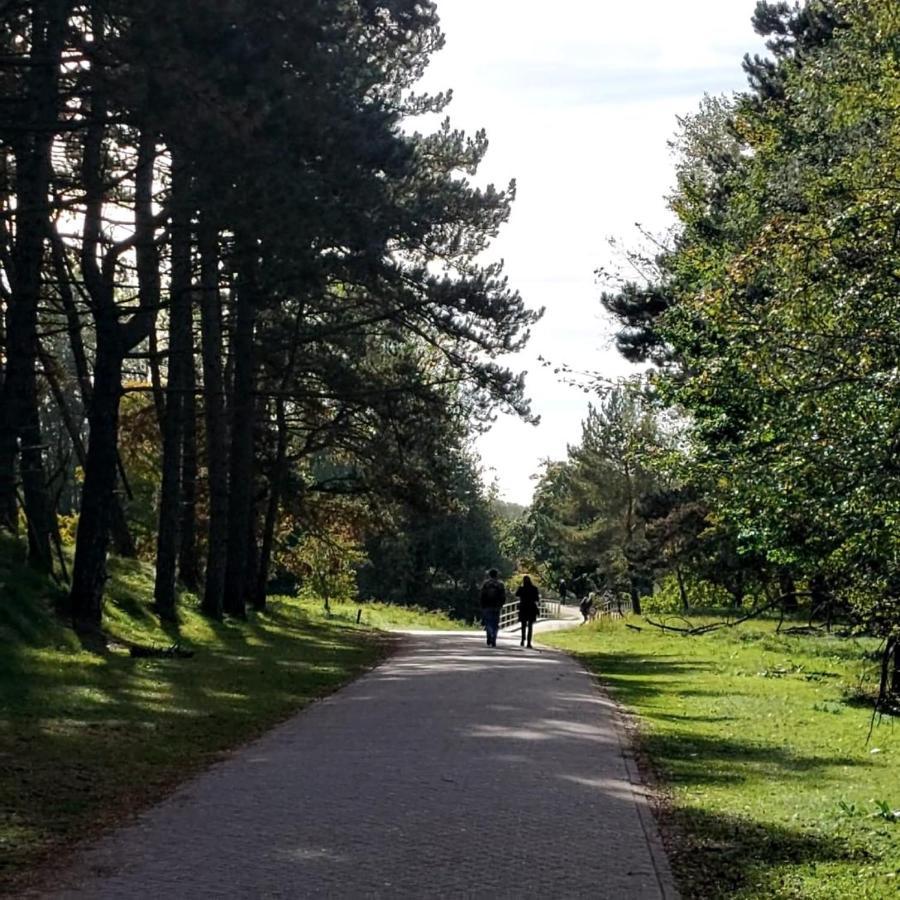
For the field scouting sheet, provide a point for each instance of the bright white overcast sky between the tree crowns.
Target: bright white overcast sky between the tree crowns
(579, 98)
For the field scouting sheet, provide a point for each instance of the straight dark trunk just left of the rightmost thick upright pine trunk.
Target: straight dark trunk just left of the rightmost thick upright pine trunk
(216, 425)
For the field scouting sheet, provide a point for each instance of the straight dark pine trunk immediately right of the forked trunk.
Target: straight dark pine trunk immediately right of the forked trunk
(173, 424)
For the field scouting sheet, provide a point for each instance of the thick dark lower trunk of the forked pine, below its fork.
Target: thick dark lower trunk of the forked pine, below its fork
(89, 575)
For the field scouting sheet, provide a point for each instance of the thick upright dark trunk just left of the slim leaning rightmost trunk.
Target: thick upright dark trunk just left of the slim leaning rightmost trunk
(241, 480)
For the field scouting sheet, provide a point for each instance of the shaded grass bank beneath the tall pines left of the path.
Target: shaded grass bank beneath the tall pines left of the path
(86, 737)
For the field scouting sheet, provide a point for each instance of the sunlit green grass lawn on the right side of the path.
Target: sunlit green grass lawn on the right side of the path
(769, 787)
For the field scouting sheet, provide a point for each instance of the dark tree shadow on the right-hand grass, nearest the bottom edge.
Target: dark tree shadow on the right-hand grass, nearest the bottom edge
(715, 856)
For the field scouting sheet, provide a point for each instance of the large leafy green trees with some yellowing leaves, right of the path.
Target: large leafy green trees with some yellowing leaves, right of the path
(773, 314)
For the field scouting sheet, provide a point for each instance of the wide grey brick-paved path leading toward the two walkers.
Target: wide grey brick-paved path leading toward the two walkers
(453, 770)
